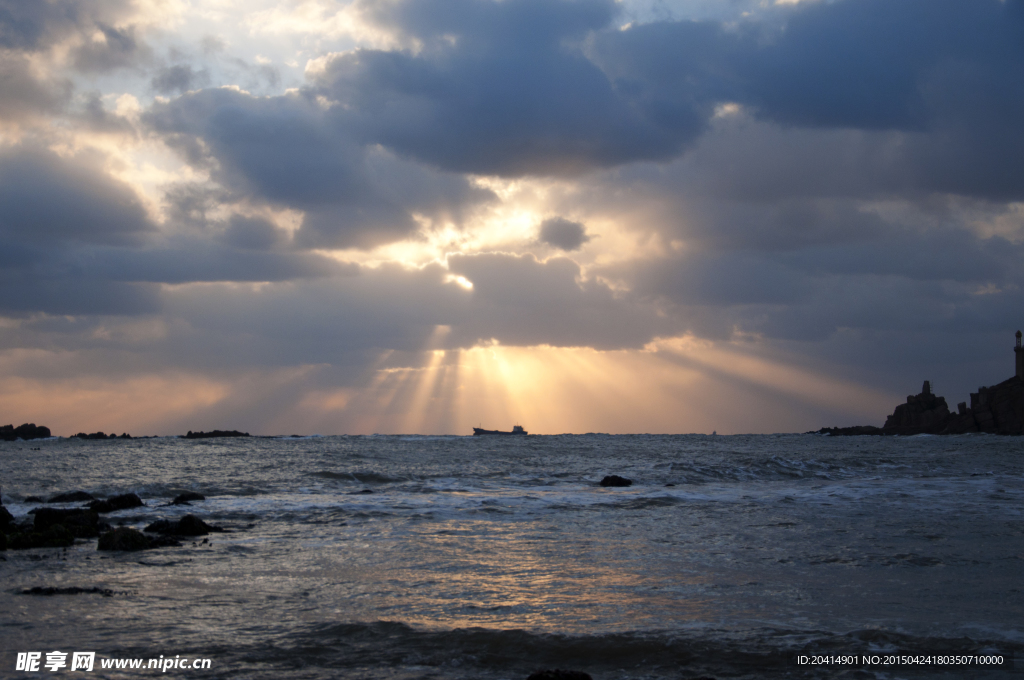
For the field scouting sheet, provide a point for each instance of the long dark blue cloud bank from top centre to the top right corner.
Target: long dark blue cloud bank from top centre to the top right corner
(528, 88)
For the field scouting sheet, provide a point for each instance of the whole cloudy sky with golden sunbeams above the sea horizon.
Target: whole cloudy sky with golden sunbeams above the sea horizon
(419, 217)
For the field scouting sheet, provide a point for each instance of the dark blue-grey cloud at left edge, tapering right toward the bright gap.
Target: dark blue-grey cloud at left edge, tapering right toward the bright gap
(75, 241)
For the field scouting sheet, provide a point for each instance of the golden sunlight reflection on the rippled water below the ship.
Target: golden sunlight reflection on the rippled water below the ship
(460, 574)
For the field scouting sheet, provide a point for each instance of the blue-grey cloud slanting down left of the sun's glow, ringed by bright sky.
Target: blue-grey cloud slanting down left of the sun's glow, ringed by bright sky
(282, 150)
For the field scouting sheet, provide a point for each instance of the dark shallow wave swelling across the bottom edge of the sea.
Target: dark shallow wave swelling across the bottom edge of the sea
(359, 649)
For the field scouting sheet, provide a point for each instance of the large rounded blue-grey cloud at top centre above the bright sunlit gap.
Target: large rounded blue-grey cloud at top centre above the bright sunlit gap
(499, 89)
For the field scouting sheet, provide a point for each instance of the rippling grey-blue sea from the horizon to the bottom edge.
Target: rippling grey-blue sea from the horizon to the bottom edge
(493, 559)
